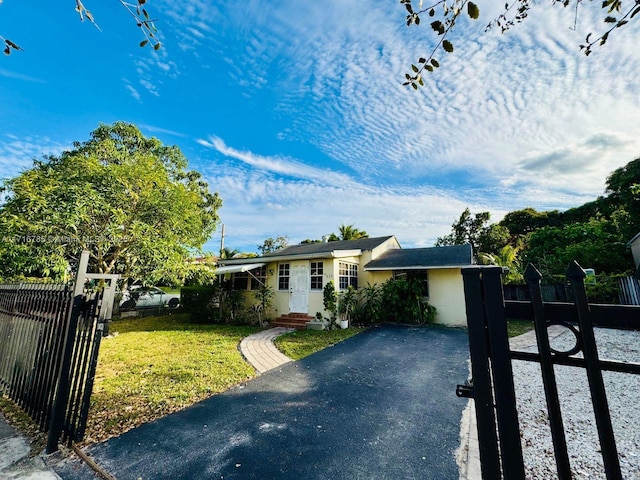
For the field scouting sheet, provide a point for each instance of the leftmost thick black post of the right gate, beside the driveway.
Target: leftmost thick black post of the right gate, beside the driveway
(482, 387)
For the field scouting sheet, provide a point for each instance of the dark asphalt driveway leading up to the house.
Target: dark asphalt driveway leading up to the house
(380, 405)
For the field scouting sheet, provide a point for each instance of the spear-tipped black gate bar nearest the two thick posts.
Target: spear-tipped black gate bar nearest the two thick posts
(532, 276)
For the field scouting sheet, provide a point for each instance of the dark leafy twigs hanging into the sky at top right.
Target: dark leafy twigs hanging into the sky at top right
(445, 14)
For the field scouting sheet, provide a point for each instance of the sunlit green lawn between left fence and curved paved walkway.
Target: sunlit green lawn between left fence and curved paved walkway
(149, 367)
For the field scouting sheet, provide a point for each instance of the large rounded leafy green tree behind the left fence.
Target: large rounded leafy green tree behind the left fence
(125, 198)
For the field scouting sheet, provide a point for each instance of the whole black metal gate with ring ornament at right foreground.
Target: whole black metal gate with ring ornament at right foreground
(492, 387)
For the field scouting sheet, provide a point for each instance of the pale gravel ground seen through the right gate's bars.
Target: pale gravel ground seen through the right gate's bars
(623, 394)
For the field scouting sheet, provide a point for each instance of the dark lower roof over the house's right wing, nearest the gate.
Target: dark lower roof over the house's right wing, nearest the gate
(423, 258)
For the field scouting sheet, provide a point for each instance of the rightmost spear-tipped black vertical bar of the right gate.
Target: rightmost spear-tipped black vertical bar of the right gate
(576, 276)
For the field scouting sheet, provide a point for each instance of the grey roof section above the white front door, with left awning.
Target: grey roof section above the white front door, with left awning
(317, 250)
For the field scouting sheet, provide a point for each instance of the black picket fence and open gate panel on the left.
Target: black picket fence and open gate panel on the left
(49, 341)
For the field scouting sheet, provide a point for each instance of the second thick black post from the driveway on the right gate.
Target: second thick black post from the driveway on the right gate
(502, 373)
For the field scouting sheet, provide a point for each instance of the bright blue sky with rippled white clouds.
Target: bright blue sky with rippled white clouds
(295, 113)
